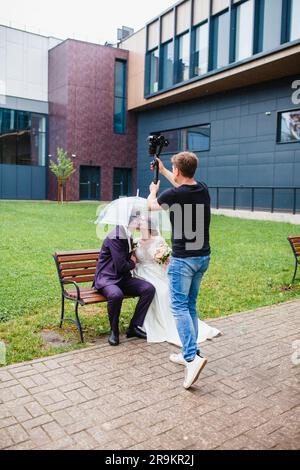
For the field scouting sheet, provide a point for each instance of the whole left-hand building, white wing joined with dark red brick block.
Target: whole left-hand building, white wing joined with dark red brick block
(66, 94)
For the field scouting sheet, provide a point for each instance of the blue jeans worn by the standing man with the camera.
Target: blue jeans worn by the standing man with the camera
(185, 276)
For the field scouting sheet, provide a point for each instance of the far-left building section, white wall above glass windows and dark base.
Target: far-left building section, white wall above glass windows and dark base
(23, 114)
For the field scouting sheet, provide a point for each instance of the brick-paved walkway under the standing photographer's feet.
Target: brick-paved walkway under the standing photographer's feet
(131, 397)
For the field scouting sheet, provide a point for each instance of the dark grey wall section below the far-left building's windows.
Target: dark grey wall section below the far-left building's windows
(22, 182)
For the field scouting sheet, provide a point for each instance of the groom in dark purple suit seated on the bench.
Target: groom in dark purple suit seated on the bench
(113, 279)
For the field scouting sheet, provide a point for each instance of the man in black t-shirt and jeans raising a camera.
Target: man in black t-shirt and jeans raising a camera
(189, 205)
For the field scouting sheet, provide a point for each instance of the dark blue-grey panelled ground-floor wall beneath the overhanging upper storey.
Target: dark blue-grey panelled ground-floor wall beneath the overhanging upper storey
(243, 150)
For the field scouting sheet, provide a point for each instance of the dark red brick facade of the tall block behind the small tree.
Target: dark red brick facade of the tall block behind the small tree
(81, 110)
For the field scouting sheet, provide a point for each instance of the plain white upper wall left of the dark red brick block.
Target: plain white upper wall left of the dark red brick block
(24, 64)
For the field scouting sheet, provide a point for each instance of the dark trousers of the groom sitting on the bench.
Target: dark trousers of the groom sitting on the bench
(116, 293)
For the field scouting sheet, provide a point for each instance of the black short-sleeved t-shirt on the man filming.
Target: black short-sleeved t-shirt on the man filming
(190, 216)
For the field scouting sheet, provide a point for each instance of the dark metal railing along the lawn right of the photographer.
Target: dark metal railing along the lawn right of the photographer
(247, 197)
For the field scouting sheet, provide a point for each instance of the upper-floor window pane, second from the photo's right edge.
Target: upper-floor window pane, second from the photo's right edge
(270, 34)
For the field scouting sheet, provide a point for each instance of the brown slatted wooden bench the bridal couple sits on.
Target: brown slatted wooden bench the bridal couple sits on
(75, 268)
